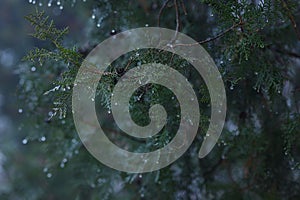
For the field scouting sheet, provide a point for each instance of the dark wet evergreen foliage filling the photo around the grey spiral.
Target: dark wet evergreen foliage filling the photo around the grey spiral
(255, 45)
